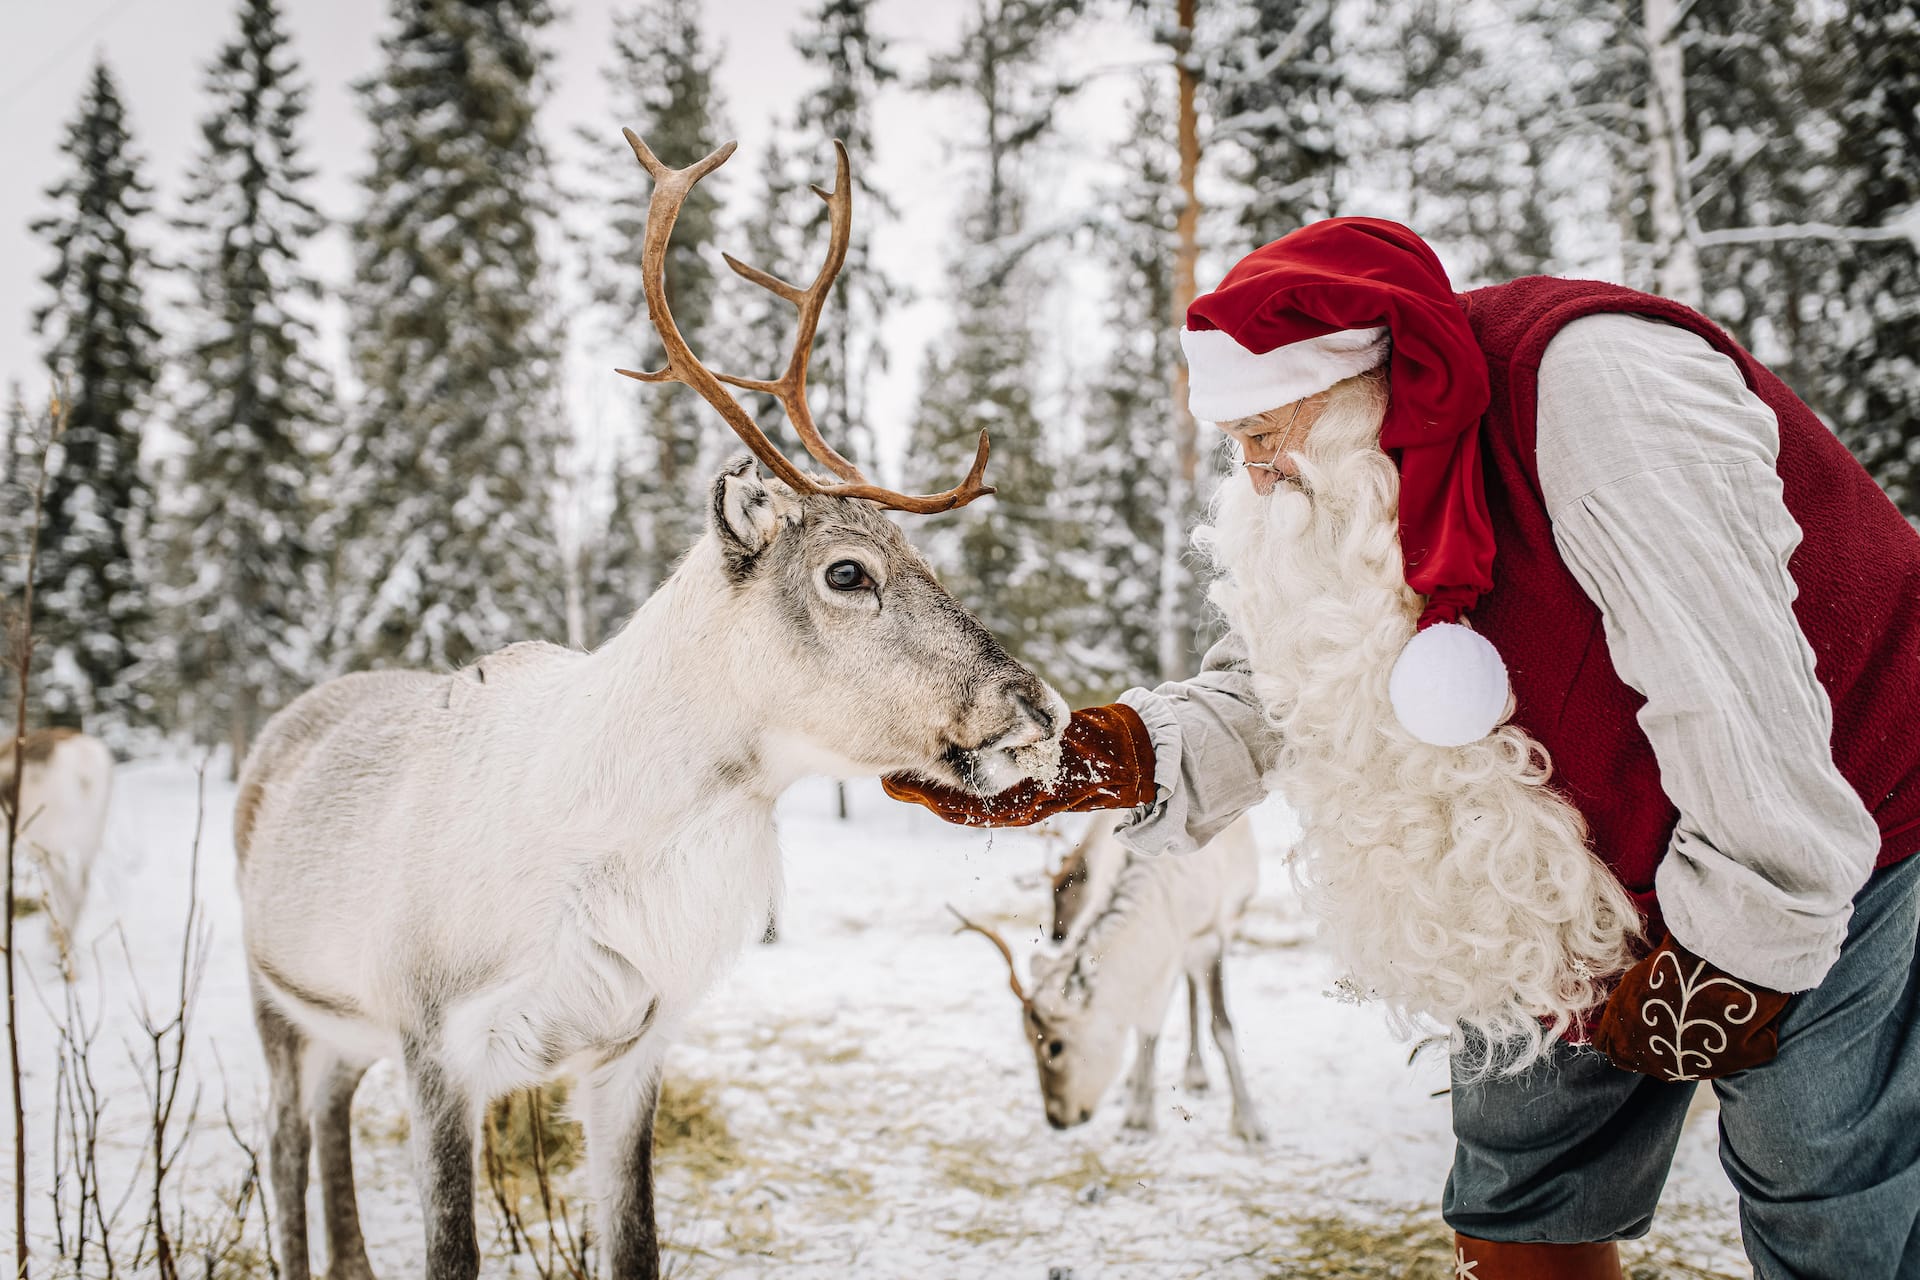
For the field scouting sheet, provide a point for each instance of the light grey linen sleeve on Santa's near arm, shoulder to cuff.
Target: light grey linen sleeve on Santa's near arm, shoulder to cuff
(1658, 471)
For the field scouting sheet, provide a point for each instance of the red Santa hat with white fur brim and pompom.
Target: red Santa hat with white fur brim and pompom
(1333, 300)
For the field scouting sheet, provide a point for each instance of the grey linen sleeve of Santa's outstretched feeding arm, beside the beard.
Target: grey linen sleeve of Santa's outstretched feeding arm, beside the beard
(1207, 753)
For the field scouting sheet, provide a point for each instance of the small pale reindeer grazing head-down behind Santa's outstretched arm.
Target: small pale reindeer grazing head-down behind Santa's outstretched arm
(1161, 918)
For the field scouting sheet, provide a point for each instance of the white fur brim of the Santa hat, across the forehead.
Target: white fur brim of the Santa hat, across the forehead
(1232, 383)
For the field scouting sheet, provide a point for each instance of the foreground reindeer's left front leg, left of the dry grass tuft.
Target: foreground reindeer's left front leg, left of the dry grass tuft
(444, 1122)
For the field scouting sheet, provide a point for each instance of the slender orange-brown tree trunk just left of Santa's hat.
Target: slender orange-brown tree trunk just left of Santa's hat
(1186, 437)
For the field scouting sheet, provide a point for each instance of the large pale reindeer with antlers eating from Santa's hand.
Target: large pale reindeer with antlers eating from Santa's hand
(542, 863)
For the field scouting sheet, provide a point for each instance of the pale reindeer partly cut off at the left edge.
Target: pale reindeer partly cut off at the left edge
(64, 792)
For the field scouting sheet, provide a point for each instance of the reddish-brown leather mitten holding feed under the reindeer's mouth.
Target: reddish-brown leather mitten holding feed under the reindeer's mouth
(1107, 761)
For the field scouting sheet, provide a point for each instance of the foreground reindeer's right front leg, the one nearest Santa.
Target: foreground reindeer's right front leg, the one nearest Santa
(619, 1108)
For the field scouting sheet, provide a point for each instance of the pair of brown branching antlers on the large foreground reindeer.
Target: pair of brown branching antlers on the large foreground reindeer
(669, 193)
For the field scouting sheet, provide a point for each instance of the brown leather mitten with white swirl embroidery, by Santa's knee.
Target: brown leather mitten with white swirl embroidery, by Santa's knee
(1679, 1018)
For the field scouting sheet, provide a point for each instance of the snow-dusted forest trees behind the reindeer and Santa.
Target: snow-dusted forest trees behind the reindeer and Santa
(228, 521)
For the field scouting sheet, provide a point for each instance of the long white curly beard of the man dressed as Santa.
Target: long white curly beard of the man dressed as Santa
(1451, 882)
